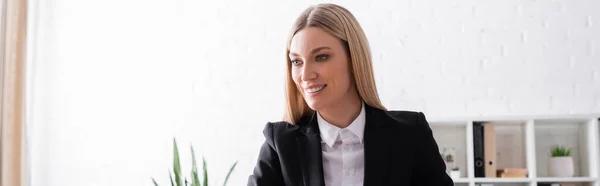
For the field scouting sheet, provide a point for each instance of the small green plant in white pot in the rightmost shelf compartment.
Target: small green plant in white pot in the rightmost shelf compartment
(560, 163)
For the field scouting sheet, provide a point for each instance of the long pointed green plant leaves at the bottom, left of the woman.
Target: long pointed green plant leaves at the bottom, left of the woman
(195, 181)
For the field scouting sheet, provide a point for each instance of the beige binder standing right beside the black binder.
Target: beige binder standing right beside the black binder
(489, 146)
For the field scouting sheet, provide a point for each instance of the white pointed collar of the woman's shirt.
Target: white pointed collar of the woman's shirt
(329, 132)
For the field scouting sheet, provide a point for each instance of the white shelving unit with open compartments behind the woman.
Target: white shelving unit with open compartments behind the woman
(525, 142)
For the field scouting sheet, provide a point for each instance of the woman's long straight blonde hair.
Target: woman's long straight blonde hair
(339, 22)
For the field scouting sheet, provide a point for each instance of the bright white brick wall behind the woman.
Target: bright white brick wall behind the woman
(111, 82)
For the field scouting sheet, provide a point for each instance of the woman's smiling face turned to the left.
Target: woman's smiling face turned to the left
(320, 68)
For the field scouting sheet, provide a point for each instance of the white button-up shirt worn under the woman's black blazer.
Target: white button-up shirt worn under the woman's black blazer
(343, 151)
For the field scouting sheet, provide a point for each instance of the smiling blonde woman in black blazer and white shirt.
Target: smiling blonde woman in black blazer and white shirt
(336, 131)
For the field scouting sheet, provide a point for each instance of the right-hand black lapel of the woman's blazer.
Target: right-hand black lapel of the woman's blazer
(376, 147)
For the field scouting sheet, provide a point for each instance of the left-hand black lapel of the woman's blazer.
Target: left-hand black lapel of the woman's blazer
(309, 152)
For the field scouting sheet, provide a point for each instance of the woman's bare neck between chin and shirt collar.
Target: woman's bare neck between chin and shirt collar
(343, 113)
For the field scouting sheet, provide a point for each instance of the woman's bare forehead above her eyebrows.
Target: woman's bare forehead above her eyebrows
(310, 38)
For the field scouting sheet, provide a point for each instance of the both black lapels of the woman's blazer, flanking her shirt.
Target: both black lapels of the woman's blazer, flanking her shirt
(376, 145)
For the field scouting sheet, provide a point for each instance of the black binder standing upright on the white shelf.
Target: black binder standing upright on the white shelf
(478, 151)
